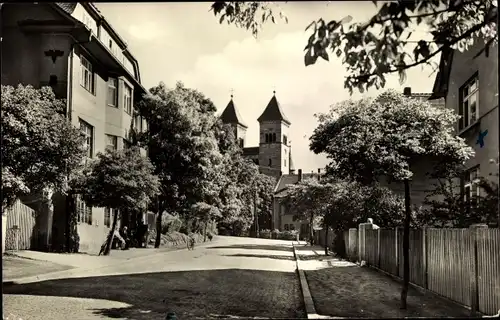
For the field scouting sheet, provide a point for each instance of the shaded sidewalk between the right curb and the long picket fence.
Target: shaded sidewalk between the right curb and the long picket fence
(344, 289)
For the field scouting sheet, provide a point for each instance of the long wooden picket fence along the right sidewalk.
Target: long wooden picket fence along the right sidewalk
(460, 264)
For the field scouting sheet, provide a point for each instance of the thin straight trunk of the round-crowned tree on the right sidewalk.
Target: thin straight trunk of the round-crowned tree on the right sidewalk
(406, 246)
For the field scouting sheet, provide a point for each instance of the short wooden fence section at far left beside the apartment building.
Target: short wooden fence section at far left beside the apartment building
(21, 221)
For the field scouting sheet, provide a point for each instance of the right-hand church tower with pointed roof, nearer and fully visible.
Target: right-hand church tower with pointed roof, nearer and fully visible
(274, 146)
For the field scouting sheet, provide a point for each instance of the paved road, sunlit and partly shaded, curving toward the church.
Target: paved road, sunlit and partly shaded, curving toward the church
(235, 277)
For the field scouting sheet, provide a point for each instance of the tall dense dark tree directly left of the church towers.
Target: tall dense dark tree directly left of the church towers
(182, 147)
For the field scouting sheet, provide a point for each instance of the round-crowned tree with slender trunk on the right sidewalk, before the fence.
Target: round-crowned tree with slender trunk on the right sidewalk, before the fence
(385, 137)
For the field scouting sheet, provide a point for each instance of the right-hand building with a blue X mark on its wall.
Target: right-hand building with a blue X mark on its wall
(468, 81)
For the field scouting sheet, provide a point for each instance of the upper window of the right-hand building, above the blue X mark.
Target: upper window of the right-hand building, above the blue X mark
(469, 103)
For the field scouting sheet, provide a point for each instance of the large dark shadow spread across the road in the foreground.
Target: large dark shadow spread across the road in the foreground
(190, 294)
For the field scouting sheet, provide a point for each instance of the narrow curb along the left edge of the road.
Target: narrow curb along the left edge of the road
(71, 271)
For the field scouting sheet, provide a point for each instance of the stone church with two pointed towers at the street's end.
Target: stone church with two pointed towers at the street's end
(273, 156)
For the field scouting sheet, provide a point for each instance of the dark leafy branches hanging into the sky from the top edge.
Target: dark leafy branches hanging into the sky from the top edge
(382, 45)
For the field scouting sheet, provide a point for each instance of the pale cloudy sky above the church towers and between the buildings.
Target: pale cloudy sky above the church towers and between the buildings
(183, 41)
